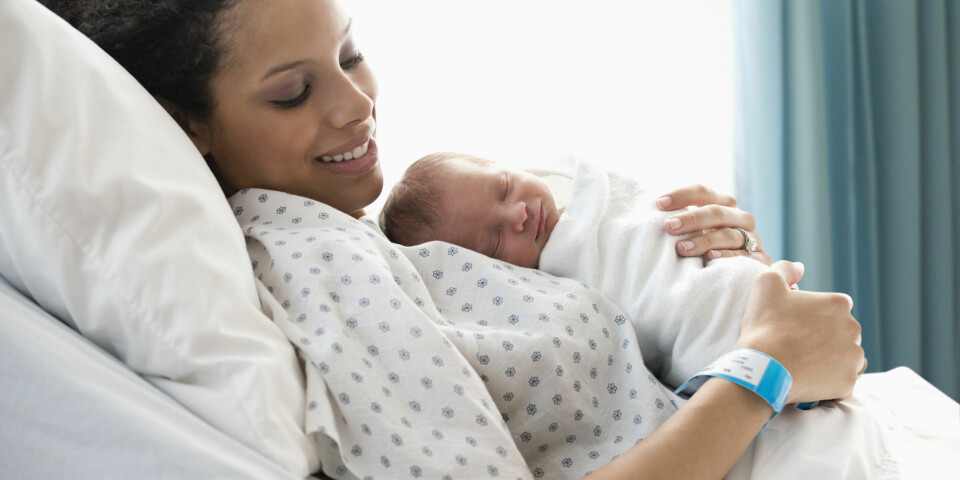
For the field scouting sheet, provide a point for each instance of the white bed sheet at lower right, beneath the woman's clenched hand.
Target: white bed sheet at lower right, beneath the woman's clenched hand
(896, 426)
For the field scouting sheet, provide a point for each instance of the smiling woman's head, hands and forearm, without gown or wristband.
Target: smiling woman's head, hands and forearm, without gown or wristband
(276, 95)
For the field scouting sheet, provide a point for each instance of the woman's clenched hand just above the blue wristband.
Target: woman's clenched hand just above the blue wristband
(812, 334)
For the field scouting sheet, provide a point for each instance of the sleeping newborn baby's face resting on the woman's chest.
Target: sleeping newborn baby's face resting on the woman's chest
(503, 213)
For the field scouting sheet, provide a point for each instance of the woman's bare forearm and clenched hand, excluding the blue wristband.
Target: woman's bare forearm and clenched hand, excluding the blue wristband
(812, 335)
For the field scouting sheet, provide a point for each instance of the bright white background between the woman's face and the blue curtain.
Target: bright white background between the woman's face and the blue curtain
(645, 86)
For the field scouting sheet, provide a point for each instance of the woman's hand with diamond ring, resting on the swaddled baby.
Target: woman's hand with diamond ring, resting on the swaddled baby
(717, 221)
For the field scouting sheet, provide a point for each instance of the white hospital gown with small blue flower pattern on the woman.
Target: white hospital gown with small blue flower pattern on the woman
(435, 361)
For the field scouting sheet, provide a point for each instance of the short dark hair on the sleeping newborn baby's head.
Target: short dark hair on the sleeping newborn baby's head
(412, 209)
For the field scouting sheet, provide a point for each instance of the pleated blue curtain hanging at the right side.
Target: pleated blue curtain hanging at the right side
(848, 154)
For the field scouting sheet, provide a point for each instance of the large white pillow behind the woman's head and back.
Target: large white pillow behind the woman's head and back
(112, 222)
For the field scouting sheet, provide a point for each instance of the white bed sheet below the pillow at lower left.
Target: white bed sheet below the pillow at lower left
(68, 410)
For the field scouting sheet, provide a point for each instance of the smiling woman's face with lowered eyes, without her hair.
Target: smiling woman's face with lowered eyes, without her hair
(295, 105)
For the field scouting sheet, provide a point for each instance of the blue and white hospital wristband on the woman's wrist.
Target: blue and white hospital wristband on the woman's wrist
(753, 370)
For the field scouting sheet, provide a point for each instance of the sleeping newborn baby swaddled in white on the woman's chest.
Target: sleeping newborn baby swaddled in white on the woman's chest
(609, 235)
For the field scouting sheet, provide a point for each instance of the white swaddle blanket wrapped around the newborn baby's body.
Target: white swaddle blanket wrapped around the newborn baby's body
(611, 237)
